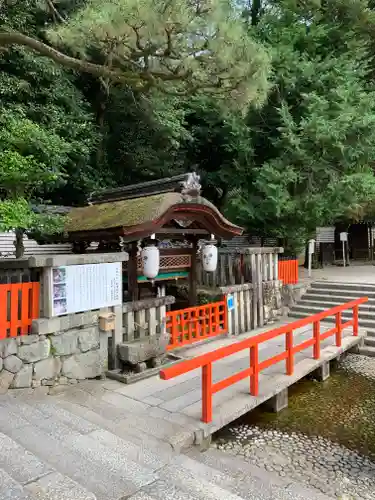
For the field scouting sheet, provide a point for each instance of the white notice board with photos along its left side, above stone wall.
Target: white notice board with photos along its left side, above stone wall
(85, 287)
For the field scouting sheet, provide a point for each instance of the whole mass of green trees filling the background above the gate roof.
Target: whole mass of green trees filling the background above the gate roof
(303, 157)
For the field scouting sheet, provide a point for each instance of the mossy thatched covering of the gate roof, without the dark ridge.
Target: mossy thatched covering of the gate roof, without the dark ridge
(133, 212)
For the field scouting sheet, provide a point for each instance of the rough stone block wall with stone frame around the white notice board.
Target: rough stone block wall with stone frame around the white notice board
(60, 349)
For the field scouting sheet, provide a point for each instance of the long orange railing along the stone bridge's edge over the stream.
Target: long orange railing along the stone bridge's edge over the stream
(205, 361)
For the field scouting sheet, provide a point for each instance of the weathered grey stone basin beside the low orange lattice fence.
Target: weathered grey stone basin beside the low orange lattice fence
(140, 351)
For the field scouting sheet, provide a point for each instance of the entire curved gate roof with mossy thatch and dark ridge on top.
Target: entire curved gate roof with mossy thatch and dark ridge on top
(139, 210)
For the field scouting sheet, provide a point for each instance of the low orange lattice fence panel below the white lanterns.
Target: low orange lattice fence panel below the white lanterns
(193, 324)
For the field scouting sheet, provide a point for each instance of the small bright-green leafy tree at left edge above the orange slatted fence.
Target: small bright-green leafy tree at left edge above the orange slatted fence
(30, 158)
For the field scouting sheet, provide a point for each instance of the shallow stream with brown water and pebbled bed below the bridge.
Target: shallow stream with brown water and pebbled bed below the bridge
(325, 438)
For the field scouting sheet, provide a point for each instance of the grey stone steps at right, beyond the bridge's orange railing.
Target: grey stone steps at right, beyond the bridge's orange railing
(323, 295)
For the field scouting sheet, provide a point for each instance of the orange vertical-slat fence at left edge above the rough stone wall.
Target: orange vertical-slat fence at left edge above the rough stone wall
(19, 305)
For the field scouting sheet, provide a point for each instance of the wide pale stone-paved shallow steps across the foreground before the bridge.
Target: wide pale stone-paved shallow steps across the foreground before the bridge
(79, 446)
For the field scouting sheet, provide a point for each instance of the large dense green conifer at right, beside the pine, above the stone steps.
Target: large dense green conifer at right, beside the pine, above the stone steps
(314, 138)
